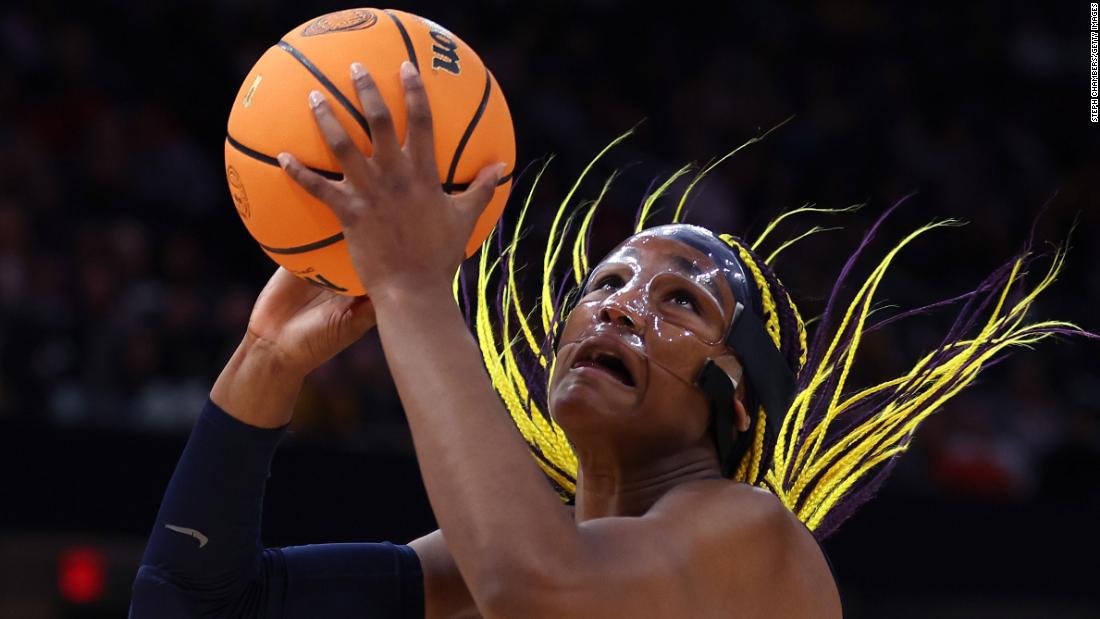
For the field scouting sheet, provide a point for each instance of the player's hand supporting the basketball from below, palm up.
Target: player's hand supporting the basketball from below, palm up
(304, 326)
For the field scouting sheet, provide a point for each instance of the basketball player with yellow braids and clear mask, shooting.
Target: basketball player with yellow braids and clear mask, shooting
(679, 366)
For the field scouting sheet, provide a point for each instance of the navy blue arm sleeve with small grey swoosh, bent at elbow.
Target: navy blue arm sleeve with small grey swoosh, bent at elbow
(205, 559)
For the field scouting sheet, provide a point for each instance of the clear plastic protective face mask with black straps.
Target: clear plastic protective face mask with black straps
(666, 312)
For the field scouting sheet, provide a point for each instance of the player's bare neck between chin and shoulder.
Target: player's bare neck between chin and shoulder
(607, 487)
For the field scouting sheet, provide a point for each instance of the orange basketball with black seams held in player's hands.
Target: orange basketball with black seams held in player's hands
(271, 115)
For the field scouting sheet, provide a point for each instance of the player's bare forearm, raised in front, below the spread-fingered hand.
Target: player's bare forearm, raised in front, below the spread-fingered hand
(486, 490)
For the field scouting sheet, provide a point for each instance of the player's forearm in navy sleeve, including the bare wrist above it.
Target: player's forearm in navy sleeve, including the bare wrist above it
(205, 548)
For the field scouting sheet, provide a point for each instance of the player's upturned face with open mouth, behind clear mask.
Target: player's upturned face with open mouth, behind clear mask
(652, 315)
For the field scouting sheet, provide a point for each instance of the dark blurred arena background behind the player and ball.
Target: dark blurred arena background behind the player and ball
(127, 278)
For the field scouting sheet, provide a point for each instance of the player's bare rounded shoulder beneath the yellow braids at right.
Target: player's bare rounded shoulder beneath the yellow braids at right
(751, 554)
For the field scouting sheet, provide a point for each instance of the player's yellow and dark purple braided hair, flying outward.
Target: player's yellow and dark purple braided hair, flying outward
(837, 446)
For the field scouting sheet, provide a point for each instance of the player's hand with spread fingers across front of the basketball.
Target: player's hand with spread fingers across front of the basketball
(401, 228)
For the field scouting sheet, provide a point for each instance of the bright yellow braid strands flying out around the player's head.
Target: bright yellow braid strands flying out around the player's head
(810, 471)
